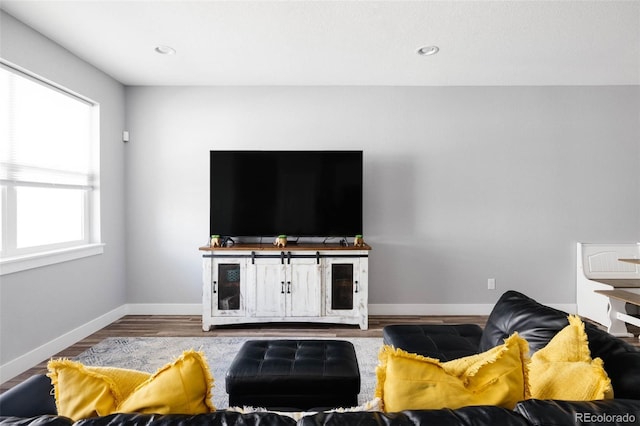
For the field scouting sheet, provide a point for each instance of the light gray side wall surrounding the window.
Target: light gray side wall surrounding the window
(40, 305)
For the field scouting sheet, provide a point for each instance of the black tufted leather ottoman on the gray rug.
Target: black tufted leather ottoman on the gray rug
(299, 374)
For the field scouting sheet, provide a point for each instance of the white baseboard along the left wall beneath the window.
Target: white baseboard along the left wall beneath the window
(24, 362)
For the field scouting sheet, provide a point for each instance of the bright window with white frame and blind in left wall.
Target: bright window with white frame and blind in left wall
(48, 172)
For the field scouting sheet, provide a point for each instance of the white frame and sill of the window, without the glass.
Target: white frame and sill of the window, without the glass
(13, 259)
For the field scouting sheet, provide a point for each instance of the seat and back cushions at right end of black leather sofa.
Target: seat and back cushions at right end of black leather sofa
(537, 323)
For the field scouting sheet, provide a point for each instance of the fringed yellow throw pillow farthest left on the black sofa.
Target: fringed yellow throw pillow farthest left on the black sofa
(84, 391)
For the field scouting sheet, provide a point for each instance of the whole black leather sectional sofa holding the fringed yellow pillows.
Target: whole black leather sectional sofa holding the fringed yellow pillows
(30, 403)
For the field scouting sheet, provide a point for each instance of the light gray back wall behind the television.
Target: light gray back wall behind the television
(462, 184)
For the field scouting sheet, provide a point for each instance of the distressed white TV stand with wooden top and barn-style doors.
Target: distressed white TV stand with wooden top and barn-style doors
(258, 283)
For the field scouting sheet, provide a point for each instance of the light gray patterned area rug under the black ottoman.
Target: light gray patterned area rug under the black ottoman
(150, 353)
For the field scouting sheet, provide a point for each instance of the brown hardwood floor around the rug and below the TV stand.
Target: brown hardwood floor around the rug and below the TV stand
(191, 325)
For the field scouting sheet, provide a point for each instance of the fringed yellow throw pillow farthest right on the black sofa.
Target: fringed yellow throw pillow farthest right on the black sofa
(564, 369)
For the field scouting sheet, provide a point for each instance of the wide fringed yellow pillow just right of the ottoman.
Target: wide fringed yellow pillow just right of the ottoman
(412, 382)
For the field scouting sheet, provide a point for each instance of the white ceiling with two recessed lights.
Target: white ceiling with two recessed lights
(357, 42)
